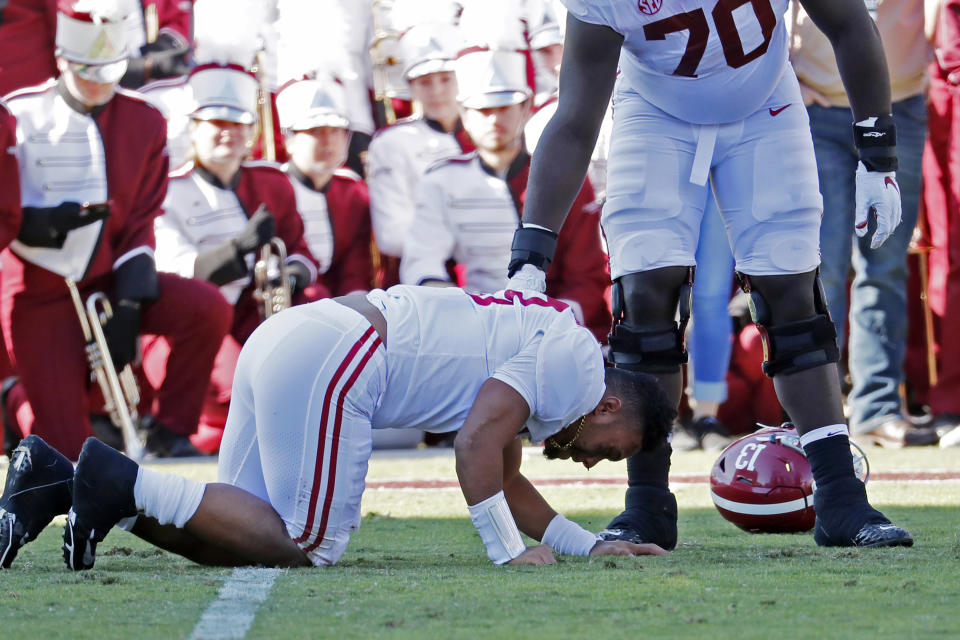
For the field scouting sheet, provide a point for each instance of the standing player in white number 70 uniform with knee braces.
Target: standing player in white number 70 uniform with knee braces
(717, 103)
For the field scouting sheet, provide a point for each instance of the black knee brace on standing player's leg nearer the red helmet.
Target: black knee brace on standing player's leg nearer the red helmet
(794, 346)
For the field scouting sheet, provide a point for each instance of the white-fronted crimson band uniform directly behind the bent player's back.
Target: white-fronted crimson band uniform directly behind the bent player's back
(468, 213)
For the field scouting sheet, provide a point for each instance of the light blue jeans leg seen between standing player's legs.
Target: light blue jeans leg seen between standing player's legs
(711, 333)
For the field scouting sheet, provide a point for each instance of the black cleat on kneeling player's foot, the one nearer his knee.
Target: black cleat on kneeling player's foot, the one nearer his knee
(102, 496)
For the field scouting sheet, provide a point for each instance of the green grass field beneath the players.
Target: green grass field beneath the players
(416, 569)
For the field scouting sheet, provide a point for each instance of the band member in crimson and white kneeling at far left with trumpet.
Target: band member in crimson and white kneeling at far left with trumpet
(85, 142)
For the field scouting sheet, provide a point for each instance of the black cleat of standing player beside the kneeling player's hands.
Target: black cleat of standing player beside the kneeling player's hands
(651, 517)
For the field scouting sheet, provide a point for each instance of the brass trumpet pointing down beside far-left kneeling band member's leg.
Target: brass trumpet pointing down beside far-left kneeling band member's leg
(120, 392)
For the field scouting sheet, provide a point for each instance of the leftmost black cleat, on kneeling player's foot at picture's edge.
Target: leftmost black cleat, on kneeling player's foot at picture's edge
(39, 482)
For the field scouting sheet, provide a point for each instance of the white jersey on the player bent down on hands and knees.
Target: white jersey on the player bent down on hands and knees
(443, 344)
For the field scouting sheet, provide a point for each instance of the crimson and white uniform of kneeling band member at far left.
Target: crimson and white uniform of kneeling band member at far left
(116, 154)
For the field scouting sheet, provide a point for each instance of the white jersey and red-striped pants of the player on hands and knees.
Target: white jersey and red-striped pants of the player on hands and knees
(314, 380)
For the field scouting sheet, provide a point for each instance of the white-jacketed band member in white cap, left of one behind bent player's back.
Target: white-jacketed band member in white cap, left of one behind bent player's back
(399, 155)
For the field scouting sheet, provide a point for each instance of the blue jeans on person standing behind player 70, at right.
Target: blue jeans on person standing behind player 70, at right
(878, 294)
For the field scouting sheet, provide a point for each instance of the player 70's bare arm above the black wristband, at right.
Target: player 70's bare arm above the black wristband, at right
(859, 51)
